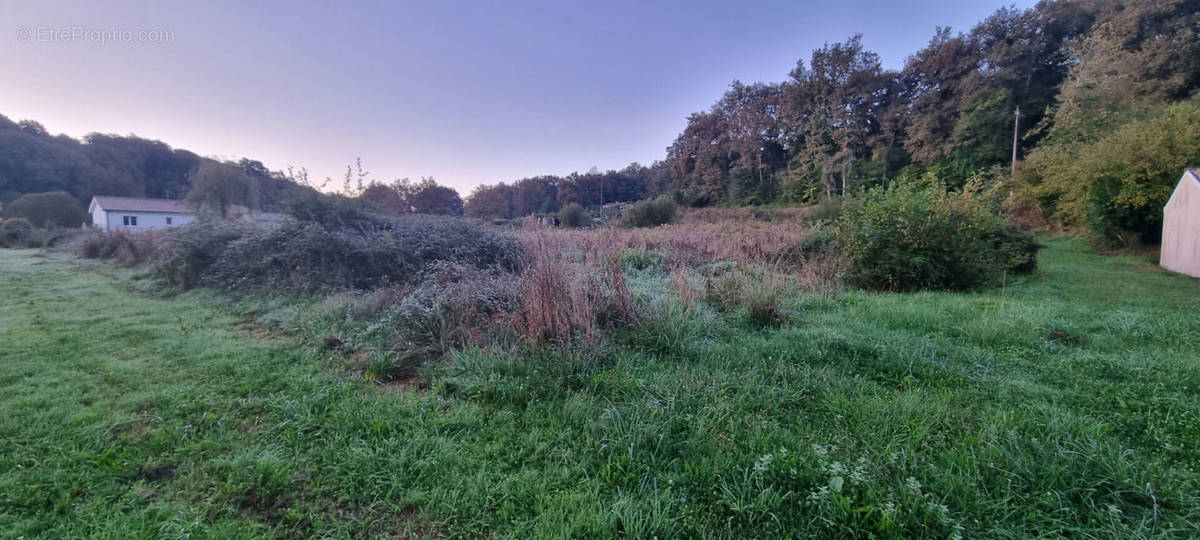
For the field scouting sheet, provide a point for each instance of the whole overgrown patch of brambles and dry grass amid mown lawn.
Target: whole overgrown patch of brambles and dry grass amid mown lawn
(410, 291)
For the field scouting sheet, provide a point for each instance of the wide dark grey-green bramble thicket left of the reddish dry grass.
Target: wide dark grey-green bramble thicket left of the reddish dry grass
(309, 256)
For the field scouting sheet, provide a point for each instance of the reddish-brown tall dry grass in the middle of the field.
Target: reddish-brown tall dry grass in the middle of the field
(574, 283)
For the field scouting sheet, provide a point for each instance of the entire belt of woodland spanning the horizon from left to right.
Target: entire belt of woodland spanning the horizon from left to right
(1102, 95)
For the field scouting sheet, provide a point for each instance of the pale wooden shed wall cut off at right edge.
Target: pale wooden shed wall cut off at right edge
(1181, 227)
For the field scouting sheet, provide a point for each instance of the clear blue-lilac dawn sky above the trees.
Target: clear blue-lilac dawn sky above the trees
(466, 93)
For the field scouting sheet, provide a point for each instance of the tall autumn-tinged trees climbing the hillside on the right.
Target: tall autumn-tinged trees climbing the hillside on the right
(841, 123)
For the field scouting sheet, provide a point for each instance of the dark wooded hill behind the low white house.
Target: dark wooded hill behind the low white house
(37, 167)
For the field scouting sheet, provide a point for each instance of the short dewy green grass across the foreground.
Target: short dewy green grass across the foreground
(1066, 404)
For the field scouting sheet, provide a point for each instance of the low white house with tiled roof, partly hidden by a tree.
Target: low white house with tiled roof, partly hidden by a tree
(130, 213)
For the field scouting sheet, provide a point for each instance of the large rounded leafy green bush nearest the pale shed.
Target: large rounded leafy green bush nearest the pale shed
(911, 238)
